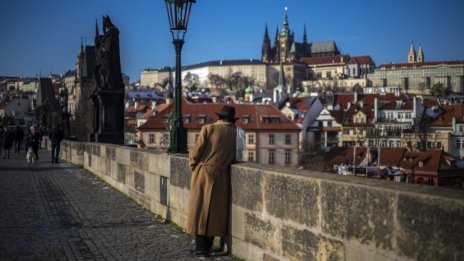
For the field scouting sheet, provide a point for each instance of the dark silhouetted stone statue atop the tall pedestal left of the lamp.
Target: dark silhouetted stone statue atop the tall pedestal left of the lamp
(108, 66)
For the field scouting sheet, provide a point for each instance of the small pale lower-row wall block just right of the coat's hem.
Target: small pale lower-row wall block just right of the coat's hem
(262, 233)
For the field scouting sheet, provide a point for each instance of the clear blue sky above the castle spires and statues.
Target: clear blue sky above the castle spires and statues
(43, 36)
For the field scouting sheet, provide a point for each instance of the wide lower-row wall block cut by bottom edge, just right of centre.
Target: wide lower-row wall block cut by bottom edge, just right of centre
(300, 244)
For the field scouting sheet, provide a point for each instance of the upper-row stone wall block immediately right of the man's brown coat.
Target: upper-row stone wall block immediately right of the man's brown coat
(246, 185)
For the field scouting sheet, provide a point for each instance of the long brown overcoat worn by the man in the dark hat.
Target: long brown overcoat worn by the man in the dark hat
(210, 160)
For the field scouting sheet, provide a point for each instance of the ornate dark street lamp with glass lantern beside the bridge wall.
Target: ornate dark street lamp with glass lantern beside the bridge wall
(178, 15)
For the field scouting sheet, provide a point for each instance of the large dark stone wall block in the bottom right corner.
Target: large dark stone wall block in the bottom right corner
(430, 228)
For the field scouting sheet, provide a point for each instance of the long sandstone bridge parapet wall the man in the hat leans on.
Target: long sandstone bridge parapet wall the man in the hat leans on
(290, 214)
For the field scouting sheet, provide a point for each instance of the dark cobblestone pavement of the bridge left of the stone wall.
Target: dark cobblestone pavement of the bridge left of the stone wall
(61, 212)
